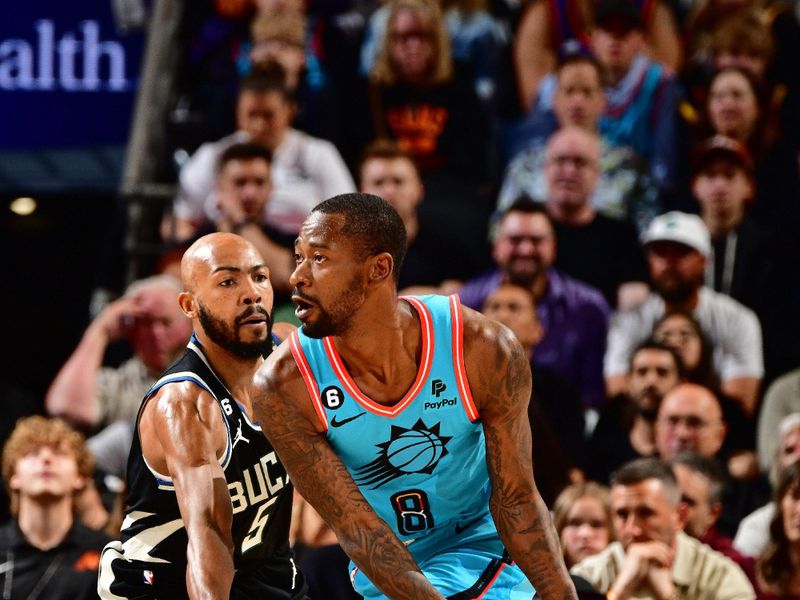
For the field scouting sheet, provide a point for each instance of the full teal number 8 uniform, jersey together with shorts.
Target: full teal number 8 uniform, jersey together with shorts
(421, 463)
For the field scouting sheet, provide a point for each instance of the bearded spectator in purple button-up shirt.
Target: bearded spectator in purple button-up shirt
(573, 315)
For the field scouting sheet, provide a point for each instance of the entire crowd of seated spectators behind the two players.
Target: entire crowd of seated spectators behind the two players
(617, 181)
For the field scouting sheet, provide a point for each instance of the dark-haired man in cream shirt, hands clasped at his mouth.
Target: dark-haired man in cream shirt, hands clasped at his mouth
(653, 557)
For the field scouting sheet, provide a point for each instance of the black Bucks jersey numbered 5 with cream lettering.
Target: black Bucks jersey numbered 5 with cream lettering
(153, 539)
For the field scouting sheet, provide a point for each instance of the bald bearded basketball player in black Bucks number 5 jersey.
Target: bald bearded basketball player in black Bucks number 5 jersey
(209, 503)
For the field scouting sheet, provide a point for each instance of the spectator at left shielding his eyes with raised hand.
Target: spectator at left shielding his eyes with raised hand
(148, 317)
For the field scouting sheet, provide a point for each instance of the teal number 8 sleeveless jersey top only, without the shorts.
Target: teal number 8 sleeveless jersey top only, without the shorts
(420, 463)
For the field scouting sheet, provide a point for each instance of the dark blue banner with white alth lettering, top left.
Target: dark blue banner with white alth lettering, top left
(68, 75)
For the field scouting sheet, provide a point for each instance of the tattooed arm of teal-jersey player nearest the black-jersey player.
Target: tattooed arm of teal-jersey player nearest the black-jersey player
(283, 408)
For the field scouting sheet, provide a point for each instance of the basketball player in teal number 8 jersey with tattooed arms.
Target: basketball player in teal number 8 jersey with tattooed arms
(403, 421)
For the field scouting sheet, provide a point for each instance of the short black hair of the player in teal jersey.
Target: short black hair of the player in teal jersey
(371, 223)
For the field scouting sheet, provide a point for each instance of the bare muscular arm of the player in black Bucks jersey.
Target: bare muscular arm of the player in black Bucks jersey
(189, 426)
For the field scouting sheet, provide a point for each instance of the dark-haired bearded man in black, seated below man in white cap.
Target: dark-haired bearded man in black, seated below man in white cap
(626, 426)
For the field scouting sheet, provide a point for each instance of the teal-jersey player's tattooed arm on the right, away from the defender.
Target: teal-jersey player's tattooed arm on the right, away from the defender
(500, 378)
